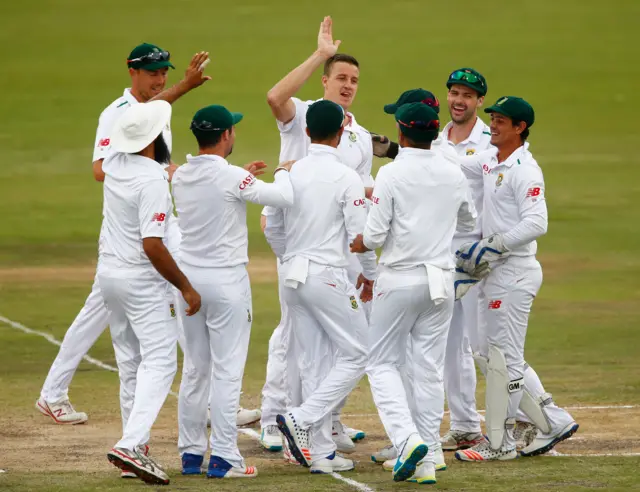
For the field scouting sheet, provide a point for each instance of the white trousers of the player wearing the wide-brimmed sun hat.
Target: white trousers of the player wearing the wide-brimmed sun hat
(144, 331)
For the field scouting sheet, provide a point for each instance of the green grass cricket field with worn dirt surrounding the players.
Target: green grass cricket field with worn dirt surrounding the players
(64, 61)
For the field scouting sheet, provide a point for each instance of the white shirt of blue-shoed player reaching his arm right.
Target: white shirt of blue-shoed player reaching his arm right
(210, 197)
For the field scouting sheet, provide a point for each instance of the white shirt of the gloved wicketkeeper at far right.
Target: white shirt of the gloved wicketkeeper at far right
(514, 203)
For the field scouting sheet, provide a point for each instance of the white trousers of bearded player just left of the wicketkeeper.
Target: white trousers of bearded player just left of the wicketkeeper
(459, 366)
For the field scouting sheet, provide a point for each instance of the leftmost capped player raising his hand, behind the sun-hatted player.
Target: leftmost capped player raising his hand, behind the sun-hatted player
(148, 65)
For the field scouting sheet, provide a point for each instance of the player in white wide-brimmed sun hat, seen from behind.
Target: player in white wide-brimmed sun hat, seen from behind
(135, 274)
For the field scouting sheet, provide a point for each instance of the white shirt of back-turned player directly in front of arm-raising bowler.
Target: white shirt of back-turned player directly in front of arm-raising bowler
(328, 212)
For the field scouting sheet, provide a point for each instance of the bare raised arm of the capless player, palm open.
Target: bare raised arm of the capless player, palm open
(279, 97)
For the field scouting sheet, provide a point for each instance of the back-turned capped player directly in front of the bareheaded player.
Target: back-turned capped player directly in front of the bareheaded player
(326, 316)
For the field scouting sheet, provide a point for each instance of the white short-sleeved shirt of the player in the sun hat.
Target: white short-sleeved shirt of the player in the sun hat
(137, 205)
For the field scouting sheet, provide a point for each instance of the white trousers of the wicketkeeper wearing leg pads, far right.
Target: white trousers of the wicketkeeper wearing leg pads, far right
(506, 297)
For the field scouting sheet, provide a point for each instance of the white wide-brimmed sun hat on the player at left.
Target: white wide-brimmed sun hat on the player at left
(139, 125)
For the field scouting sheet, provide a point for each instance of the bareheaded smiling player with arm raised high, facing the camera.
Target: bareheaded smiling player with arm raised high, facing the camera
(340, 81)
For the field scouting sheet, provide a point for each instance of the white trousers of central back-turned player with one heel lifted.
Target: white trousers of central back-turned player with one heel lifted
(326, 316)
